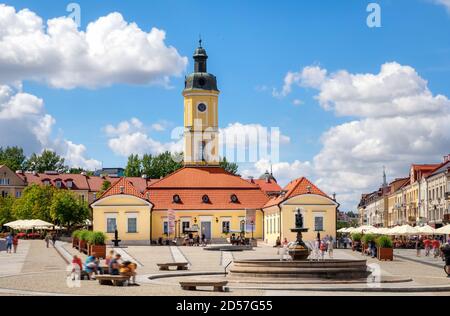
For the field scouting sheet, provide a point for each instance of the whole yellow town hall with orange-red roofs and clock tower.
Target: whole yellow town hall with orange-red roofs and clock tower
(203, 197)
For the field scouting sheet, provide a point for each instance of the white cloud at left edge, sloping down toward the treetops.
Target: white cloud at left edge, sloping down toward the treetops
(24, 123)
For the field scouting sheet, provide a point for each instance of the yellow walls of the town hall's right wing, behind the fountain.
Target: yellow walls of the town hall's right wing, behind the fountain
(280, 219)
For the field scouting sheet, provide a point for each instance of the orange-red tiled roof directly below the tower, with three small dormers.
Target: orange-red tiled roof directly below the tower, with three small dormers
(191, 183)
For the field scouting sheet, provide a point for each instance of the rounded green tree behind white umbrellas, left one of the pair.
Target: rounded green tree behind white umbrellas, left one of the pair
(34, 203)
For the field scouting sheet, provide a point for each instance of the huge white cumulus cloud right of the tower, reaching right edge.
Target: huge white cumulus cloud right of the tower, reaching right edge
(398, 122)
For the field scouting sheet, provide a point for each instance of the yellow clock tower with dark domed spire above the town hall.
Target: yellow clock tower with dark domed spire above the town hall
(201, 128)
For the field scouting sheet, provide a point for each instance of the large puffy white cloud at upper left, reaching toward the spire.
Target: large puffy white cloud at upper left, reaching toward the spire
(110, 51)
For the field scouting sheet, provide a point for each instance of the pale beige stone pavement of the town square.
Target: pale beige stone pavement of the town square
(36, 270)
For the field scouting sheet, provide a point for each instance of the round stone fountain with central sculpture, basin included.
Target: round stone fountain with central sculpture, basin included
(299, 269)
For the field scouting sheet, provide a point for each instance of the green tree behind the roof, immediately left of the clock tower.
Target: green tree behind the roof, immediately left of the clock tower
(155, 167)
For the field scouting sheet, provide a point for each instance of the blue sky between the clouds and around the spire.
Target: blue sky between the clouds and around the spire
(252, 46)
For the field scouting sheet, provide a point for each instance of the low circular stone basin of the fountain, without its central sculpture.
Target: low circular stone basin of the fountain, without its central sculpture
(301, 269)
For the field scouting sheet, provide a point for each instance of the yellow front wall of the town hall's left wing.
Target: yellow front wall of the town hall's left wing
(123, 208)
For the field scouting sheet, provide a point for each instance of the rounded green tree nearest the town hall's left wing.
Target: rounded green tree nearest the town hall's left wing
(66, 209)
